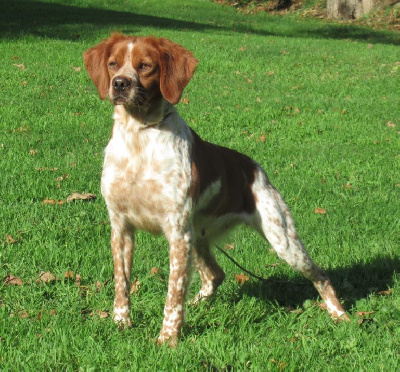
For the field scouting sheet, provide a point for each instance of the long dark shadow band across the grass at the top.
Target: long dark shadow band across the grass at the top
(19, 18)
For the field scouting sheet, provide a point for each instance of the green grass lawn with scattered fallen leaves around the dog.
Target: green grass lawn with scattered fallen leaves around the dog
(316, 103)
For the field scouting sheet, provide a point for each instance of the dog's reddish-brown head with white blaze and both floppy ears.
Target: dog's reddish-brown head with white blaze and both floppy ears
(137, 71)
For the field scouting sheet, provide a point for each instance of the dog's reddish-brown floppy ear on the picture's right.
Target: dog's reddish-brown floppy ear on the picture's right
(177, 66)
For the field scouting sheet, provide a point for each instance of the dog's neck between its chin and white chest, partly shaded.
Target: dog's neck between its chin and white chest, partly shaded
(149, 116)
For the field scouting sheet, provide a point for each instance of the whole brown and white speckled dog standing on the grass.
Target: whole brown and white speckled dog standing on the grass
(159, 176)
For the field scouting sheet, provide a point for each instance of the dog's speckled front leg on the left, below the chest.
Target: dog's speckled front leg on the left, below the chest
(122, 251)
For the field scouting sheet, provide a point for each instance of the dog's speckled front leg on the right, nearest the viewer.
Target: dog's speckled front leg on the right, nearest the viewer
(180, 257)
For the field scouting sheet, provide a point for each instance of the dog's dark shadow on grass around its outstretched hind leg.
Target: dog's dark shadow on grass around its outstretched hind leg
(351, 283)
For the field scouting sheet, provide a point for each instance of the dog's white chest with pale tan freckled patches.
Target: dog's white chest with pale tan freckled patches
(147, 174)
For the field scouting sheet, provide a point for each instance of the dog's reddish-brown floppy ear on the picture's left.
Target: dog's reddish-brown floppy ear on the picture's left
(95, 60)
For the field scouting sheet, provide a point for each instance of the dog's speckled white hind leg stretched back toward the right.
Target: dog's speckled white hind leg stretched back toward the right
(274, 221)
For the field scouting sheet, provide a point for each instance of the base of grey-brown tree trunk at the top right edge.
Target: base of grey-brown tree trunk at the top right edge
(348, 9)
